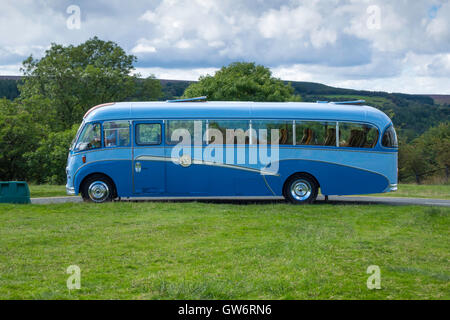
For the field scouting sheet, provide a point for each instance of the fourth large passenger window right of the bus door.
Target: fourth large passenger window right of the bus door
(315, 133)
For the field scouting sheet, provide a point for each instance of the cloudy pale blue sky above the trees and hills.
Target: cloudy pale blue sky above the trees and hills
(394, 46)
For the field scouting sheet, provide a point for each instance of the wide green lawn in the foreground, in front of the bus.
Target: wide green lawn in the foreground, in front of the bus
(193, 250)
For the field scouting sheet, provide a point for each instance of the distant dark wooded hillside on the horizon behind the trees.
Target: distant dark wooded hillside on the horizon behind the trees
(411, 114)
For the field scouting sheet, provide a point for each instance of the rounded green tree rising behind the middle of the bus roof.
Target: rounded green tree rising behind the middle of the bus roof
(242, 81)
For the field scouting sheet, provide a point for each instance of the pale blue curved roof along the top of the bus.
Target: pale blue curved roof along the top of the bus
(237, 110)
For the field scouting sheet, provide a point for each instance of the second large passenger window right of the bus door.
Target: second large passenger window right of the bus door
(231, 131)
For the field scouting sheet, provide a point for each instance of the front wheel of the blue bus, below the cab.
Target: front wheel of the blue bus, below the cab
(98, 188)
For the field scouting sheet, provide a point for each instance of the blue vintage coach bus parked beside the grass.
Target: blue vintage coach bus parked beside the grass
(125, 150)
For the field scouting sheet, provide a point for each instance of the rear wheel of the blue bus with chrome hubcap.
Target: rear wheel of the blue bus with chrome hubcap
(301, 189)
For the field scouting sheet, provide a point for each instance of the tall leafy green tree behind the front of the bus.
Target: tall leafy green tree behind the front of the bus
(75, 78)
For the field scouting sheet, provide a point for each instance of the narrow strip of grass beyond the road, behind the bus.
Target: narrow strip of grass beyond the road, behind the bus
(405, 190)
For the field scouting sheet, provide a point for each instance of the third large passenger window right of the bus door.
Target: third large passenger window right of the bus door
(282, 129)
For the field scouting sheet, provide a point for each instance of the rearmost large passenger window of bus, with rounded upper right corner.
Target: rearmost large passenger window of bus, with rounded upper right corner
(357, 135)
